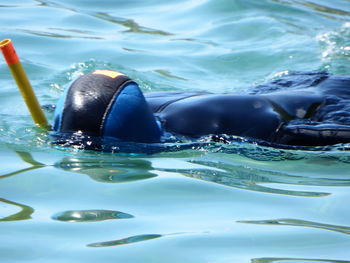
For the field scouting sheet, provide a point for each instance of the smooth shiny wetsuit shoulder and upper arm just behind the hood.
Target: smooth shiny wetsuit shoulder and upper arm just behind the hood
(239, 115)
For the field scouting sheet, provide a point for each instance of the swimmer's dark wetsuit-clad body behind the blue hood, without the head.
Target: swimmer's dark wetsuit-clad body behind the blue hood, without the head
(286, 105)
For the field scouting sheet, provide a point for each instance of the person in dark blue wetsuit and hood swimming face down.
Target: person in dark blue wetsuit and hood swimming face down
(301, 109)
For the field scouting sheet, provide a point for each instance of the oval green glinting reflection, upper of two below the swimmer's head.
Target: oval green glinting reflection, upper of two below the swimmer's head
(90, 215)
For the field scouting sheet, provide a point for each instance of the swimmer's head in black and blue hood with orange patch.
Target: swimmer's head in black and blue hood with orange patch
(106, 103)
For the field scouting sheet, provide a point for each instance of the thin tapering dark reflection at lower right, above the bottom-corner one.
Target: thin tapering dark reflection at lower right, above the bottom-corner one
(301, 223)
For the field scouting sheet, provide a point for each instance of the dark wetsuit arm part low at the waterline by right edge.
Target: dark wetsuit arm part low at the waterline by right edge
(313, 135)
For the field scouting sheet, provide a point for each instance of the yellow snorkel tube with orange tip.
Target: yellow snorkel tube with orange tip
(23, 83)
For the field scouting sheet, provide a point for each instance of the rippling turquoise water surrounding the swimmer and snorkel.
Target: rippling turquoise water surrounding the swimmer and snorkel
(228, 203)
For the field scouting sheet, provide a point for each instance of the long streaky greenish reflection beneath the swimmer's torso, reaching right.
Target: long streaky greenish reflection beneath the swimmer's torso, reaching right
(245, 177)
